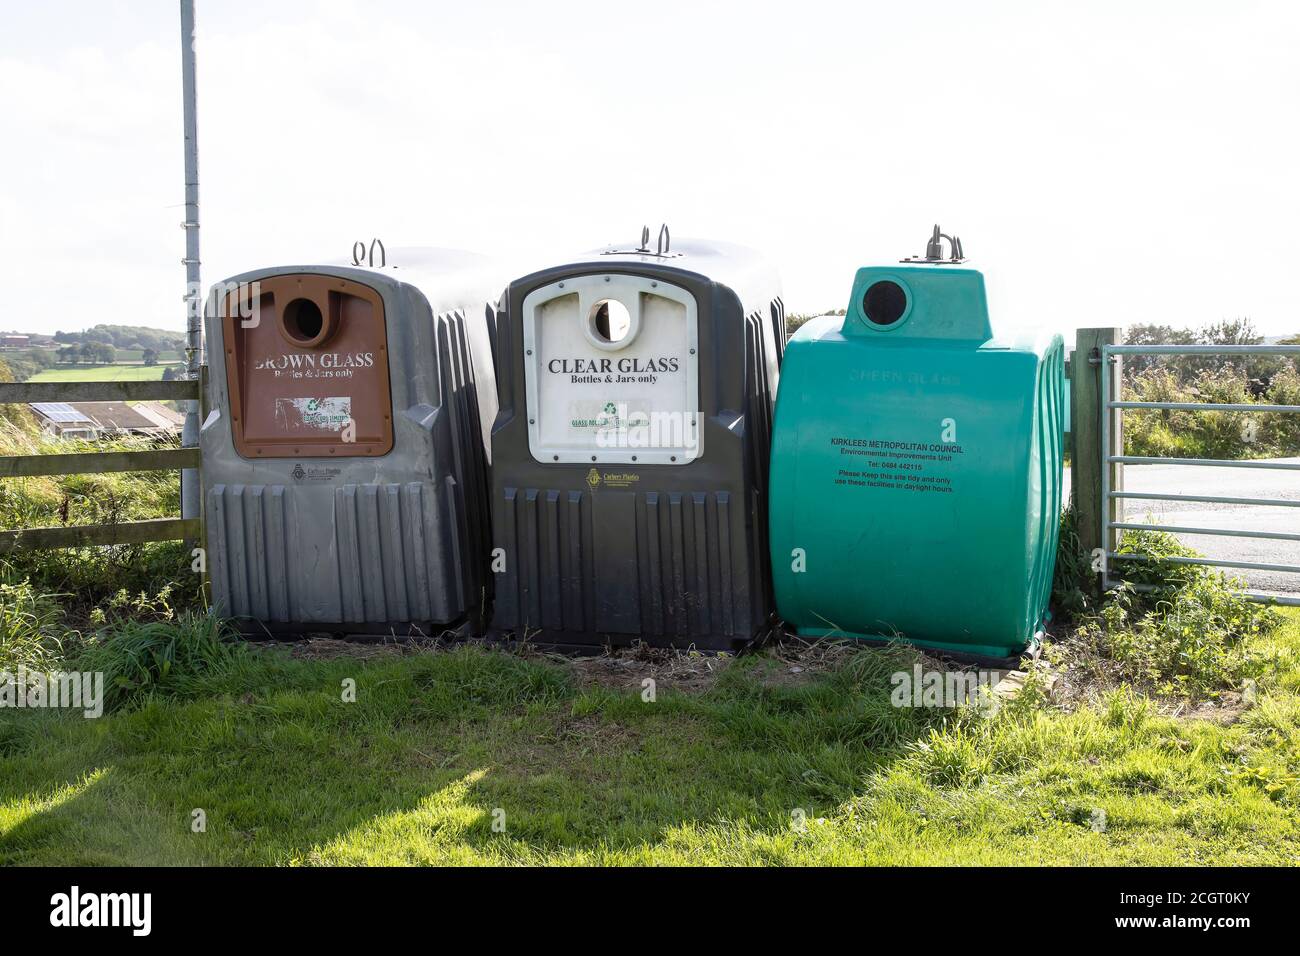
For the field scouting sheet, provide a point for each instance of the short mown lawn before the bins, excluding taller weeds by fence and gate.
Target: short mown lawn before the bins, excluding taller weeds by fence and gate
(760, 767)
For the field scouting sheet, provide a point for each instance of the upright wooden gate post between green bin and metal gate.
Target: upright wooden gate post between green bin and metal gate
(1086, 410)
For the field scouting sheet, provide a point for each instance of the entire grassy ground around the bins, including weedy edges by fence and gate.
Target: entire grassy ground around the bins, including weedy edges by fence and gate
(478, 756)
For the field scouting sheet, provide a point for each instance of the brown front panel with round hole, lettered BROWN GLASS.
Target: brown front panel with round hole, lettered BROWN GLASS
(315, 361)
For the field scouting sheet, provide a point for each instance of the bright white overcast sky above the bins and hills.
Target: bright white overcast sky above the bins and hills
(1103, 163)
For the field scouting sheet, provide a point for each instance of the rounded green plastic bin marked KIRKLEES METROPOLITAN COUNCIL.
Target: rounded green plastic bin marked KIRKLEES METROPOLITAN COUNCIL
(916, 475)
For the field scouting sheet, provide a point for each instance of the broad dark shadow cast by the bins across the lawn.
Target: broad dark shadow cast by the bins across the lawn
(465, 756)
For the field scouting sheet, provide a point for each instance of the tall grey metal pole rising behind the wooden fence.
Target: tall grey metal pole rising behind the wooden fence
(193, 284)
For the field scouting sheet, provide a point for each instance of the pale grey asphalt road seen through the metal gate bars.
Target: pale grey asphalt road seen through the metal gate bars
(1236, 483)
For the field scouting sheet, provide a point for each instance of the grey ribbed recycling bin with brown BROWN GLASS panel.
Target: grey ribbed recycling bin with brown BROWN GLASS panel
(345, 462)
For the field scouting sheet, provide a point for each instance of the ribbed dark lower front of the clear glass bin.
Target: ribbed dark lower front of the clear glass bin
(674, 568)
